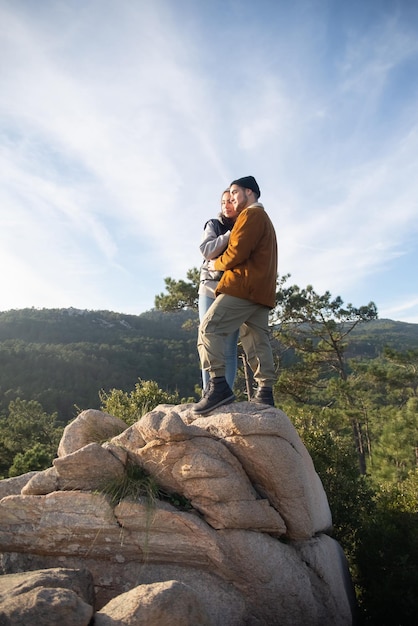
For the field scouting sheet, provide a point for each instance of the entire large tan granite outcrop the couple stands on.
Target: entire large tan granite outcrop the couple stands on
(252, 547)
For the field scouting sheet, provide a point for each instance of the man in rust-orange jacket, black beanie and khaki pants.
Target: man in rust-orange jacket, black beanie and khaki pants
(245, 294)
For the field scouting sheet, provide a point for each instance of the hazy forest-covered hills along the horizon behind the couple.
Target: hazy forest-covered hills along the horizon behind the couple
(64, 357)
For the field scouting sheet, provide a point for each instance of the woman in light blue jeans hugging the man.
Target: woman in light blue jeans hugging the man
(215, 241)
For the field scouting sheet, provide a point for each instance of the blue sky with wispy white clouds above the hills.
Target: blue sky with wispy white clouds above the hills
(121, 122)
